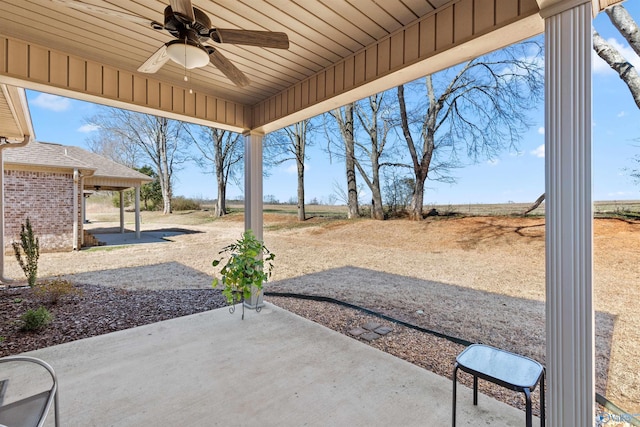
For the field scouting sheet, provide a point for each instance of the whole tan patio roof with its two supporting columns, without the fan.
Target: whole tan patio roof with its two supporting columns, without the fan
(342, 51)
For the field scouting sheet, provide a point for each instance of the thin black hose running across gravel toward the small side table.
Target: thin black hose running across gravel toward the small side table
(622, 414)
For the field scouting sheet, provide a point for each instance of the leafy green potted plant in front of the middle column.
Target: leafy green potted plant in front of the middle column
(244, 269)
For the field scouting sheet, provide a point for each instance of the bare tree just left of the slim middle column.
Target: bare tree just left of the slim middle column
(222, 150)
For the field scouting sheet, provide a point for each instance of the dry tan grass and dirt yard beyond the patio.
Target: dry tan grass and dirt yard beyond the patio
(477, 278)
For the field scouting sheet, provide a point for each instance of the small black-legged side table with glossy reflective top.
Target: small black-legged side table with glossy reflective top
(501, 367)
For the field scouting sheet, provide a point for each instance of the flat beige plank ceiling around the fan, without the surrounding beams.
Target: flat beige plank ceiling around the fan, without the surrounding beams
(321, 33)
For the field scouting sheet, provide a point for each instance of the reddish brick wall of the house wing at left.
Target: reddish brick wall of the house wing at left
(46, 198)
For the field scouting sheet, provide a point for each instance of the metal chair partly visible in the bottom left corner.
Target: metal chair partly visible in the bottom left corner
(32, 410)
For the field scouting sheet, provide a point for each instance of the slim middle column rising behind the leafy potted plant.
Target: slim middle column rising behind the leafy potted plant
(253, 194)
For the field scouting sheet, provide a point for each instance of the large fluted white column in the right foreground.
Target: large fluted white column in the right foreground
(569, 216)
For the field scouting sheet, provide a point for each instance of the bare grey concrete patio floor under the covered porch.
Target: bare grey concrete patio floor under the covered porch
(272, 369)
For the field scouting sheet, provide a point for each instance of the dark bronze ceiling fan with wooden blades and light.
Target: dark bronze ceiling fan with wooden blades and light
(191, 28)
